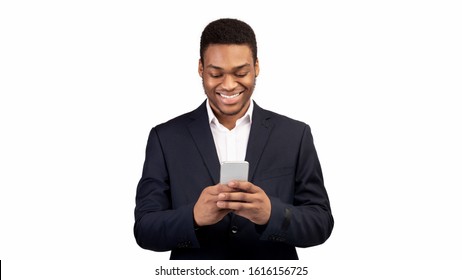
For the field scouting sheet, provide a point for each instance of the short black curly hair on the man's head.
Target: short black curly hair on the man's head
(229, 32)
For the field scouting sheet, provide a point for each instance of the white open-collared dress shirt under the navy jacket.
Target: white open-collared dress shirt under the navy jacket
(231, 145)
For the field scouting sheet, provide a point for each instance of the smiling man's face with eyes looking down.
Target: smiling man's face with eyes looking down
(228, 76)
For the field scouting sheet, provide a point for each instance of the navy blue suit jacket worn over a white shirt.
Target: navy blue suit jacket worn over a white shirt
(181, 160)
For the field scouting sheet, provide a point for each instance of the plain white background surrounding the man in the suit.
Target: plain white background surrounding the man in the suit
(82, 83)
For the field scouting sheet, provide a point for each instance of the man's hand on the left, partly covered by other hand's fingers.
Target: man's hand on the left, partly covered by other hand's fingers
(205, 210)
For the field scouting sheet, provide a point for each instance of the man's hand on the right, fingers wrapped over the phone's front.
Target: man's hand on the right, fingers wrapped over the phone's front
(246, 200)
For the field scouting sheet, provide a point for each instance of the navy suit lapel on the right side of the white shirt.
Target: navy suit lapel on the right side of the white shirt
(259, 133)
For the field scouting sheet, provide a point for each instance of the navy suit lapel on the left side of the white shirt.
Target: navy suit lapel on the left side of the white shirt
(203, 138)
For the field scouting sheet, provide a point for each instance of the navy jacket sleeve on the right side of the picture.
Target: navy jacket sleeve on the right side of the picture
(308, 220)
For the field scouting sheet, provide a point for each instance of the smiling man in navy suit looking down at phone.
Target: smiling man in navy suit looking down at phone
(180, 206)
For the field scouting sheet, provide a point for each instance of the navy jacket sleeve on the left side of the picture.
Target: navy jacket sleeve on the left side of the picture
(158, 227)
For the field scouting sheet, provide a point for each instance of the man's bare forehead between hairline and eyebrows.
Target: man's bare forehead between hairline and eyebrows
(227, 55)
